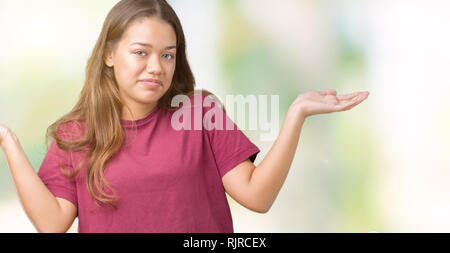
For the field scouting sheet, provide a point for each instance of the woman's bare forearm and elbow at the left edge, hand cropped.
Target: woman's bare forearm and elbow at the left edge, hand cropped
(49, 214)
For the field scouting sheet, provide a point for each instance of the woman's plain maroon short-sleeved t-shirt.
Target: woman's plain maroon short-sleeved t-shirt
(167, 180)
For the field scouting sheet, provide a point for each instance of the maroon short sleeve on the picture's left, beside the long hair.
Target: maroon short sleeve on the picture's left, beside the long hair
(52, 176)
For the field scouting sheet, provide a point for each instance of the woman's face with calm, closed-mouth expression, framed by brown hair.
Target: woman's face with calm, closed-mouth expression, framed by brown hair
(144, 63)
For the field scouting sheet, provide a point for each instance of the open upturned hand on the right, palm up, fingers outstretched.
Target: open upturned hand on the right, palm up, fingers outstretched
(319, 102)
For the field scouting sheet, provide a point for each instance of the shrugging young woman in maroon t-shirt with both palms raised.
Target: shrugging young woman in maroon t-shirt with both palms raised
(116, 161)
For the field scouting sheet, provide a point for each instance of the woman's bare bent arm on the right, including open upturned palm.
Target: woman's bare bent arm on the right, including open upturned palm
(256, 188)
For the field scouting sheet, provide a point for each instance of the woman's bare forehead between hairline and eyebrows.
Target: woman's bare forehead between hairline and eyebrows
(150, 31)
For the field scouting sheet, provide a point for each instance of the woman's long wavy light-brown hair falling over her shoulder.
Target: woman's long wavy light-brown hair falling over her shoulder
(99, 104)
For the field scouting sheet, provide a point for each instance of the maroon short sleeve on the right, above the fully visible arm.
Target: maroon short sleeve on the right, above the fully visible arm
(229, 144)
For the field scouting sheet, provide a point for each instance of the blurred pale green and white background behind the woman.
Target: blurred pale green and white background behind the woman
(382, 166)
